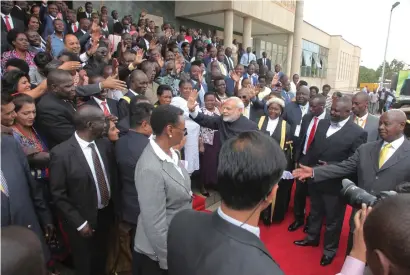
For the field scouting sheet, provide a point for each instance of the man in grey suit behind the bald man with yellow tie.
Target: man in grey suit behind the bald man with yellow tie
(363, 118)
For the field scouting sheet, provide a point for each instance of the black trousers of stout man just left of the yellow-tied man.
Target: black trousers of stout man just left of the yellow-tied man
(332, 208)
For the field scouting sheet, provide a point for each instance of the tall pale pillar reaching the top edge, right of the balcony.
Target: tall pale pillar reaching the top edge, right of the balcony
(297, 38)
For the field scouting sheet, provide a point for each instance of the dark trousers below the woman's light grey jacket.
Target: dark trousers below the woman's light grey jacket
(144, 265)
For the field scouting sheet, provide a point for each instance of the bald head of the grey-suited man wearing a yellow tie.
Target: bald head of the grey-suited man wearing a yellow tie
(392, 124)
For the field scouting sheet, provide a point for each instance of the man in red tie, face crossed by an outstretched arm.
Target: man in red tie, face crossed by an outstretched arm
(107, 105)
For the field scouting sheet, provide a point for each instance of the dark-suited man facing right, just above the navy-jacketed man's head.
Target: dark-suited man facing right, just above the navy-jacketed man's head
(138, 84)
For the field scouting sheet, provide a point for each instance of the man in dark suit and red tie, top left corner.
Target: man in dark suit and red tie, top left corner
(8, 23)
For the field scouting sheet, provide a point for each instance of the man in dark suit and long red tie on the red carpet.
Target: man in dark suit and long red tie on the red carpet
(308, 128)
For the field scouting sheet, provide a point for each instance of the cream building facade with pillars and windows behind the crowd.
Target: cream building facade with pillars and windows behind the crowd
(274, 27)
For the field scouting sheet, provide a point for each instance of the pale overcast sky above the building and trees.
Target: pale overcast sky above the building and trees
(364, 23)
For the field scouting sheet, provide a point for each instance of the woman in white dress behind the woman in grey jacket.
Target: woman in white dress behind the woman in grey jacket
(191, 148)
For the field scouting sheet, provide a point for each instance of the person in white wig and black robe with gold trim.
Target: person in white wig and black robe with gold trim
(273, 125)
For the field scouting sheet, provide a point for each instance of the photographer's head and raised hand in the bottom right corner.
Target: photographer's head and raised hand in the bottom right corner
(387, 255)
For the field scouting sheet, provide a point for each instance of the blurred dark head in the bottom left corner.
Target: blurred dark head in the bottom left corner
(24, 255)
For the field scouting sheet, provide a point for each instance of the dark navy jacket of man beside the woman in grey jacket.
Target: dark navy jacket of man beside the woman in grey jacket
(128, 150)
